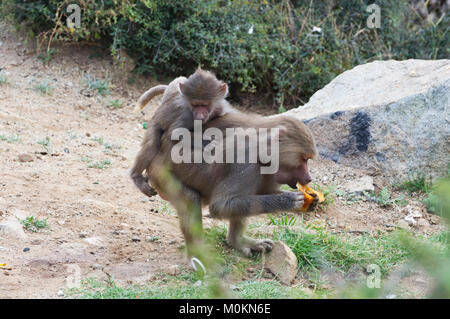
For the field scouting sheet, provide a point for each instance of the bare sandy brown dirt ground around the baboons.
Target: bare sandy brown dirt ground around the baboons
(99, 223)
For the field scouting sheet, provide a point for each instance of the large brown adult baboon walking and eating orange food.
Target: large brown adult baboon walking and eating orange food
(235, 191)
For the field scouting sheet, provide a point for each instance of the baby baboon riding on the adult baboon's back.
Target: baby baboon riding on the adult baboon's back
(199, 97)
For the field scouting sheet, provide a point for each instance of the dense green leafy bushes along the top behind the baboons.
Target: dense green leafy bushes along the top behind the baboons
(257, 46)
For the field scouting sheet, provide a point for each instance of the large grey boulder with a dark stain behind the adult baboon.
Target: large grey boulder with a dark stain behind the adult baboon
(392, 116)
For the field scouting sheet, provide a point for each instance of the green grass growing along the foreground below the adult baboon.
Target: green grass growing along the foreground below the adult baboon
(317, 250)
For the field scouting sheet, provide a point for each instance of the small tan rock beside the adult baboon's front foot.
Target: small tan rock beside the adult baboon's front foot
(282, 262)
